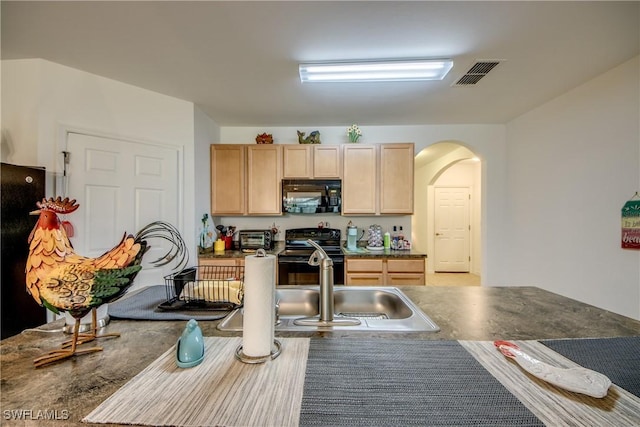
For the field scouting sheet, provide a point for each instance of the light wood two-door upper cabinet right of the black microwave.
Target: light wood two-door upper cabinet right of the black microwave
(377, 179)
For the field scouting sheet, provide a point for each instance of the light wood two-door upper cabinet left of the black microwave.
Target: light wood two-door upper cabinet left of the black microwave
(245, 179)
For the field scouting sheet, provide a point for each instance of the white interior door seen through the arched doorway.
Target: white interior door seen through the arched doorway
(452, 229)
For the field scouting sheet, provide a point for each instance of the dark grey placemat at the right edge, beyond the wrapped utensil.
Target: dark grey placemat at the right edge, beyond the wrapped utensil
(614, 357)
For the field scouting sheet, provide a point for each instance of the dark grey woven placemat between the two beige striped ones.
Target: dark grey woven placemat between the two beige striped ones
(389, 382)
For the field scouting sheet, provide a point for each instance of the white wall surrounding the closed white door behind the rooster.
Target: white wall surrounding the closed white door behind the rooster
(40, 99)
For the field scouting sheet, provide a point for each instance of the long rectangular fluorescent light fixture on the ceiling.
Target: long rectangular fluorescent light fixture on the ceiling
(375, 71)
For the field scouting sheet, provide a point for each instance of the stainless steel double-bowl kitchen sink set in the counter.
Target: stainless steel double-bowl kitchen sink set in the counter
(377, 308)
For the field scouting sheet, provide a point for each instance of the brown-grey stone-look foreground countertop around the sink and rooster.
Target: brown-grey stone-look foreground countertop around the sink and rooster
(74, 387)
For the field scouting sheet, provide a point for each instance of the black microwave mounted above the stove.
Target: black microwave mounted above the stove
(310, 196)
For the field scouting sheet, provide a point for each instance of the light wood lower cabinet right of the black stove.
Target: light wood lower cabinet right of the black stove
(384, 271)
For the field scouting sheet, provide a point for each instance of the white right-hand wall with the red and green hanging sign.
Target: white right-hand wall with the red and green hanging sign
(573, 162)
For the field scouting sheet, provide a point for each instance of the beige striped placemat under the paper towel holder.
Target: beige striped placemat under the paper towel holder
(221, 391)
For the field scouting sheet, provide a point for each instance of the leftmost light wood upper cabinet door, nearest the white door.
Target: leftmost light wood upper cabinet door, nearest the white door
(227, 179)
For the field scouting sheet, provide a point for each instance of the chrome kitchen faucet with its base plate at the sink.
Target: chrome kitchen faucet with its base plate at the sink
(326, 318)
